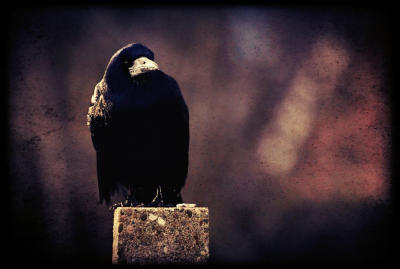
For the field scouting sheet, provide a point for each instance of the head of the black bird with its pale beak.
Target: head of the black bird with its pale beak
(130, 62)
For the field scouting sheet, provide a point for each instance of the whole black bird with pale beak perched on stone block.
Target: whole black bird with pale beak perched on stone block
(139, 124)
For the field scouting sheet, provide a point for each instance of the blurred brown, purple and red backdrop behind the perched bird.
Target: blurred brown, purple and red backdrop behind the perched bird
(290, 124)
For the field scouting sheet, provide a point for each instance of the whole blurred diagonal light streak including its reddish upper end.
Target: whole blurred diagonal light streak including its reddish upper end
(294, 117)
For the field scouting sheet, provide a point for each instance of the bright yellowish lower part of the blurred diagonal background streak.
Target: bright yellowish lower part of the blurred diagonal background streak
(291, 126)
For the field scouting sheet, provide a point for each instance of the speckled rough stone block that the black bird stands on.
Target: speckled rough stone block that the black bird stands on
(161, 235)
